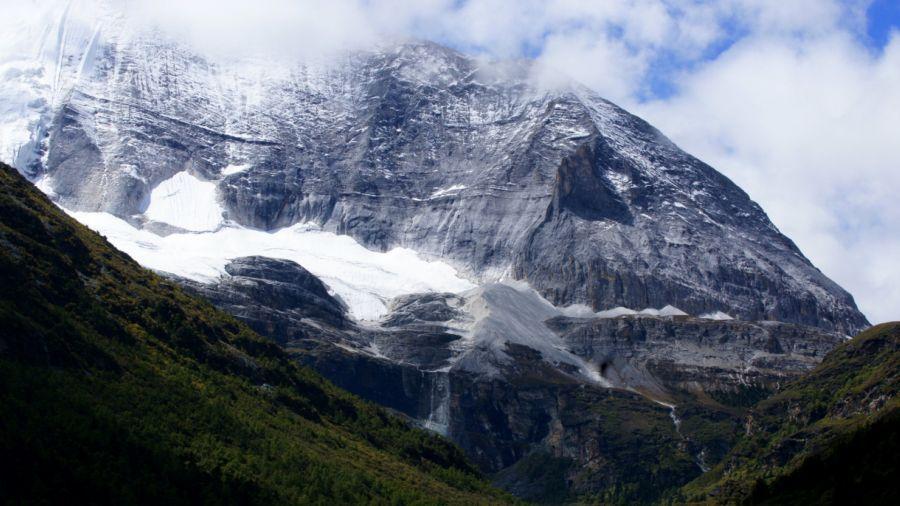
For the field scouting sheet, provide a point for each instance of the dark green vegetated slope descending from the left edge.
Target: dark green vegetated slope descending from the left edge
(116, 387)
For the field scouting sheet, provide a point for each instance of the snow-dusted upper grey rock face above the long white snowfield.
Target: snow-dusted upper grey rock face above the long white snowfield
(419, 146)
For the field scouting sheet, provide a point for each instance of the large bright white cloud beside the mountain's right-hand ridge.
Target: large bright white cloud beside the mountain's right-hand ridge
(810, 129)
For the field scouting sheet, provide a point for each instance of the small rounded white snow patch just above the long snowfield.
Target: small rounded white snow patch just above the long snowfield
(186, 202)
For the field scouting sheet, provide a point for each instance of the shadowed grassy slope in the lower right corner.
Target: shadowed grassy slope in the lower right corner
(832, 436)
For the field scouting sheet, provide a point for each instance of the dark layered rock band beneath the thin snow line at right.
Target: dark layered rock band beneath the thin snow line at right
(661, 355)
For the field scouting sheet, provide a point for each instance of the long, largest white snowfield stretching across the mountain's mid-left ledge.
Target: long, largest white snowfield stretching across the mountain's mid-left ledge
(366, 280)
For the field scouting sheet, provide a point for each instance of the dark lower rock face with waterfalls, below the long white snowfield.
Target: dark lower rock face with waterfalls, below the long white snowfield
(519, 402)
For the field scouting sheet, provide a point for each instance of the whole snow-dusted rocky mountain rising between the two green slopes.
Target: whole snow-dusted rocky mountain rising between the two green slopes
(528, 270)
